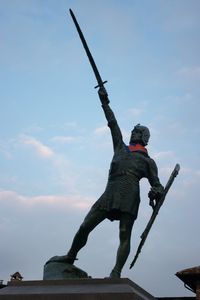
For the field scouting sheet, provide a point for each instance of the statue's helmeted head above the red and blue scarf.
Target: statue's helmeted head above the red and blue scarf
(140, 134)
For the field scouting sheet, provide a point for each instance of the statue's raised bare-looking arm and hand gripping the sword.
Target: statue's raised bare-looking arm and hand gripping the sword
(110, 117)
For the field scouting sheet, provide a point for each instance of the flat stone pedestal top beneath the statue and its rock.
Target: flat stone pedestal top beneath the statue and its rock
(78, 289)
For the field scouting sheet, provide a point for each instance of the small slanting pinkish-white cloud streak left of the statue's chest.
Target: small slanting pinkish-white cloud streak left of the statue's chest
(41, 149)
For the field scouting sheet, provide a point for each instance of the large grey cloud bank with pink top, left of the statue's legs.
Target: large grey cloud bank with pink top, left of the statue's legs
(45, 220)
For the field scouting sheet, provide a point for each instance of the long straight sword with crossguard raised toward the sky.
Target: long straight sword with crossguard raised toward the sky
(89, 55)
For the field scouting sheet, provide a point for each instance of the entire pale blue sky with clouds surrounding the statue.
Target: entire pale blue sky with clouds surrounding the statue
(55, 146)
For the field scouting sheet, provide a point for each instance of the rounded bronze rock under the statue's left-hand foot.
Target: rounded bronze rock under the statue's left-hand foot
(55, 269)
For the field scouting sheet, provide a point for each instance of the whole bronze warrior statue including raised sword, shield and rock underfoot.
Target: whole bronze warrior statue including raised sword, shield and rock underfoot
(121, 198)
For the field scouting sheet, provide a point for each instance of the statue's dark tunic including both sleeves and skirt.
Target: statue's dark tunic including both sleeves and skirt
(122, 193)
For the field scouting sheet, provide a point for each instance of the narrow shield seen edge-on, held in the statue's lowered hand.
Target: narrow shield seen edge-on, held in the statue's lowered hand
(155, 212)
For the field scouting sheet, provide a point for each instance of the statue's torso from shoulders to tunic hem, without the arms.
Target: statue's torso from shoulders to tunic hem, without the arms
(122, 190)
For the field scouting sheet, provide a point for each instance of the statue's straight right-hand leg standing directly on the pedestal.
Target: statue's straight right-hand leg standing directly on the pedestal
(125, 229)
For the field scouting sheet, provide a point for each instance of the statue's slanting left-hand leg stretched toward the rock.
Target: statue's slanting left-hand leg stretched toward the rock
(93, 218)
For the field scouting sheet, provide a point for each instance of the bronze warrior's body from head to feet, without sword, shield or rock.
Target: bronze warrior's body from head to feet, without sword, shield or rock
(121, 198)
